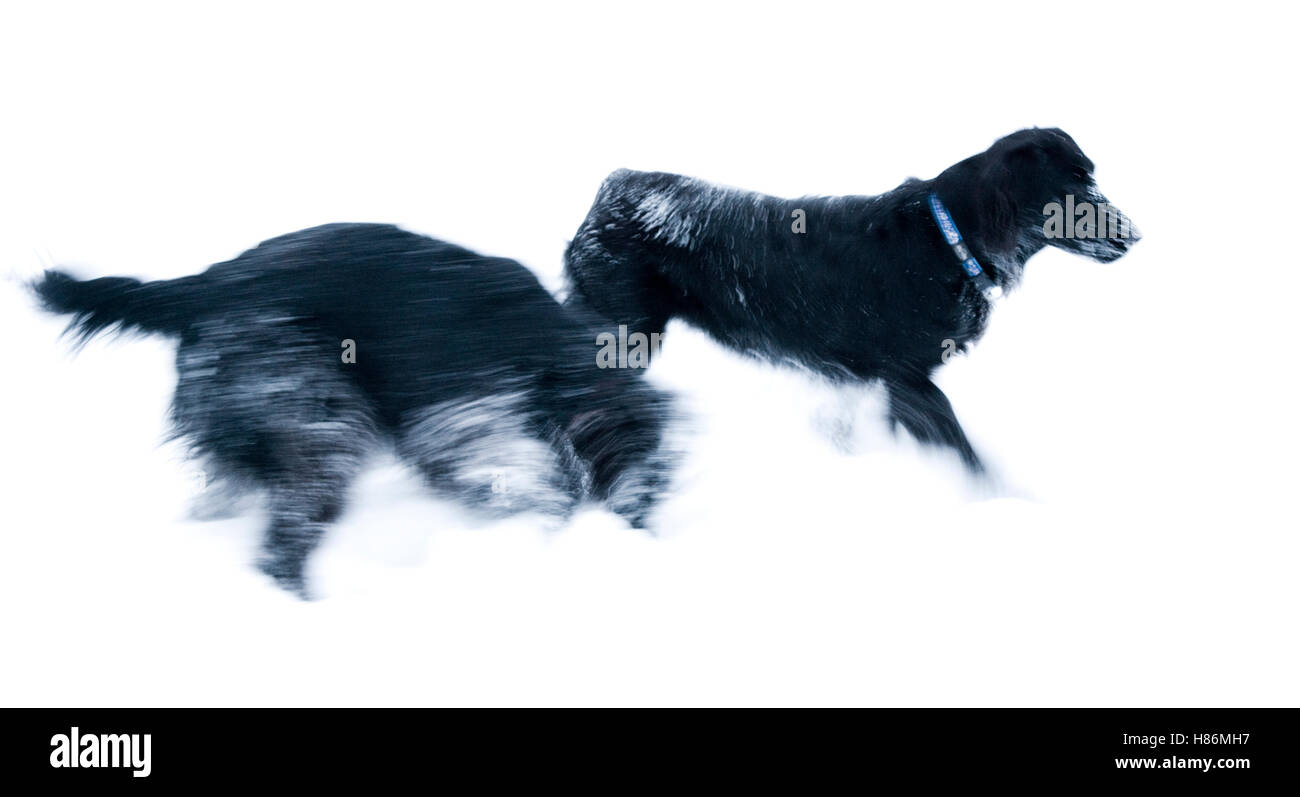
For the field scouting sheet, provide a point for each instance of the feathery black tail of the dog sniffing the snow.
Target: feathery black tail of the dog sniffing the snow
(163, 307)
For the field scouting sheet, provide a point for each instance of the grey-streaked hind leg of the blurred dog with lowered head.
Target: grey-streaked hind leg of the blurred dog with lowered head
(268, 404)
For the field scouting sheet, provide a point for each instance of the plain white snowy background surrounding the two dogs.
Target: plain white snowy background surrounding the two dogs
(1141, 551)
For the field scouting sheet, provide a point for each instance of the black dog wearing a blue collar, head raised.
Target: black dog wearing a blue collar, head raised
(855, 288)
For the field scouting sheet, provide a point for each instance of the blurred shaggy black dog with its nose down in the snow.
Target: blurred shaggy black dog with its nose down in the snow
(302, 356)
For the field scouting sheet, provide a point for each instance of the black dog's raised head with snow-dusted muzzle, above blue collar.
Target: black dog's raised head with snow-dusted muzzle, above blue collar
(1046, 190)
